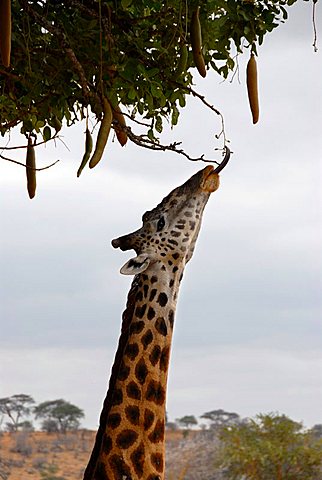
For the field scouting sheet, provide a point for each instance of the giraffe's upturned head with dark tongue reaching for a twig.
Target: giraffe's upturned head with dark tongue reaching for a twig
(169, 231)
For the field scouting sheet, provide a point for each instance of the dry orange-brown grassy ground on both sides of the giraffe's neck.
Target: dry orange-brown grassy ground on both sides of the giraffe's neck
(42, 456)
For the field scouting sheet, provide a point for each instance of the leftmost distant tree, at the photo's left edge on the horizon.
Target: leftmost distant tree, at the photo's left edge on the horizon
(16, 408)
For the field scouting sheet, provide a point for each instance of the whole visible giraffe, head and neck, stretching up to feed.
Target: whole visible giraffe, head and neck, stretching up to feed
(130, 442)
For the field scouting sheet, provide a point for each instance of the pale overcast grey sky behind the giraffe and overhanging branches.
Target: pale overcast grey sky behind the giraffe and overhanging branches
(248, 335)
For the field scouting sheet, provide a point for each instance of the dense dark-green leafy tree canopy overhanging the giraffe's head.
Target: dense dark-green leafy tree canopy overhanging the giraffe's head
(73, 58)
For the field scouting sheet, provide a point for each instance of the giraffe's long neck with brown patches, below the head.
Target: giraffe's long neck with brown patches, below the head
(130, 440)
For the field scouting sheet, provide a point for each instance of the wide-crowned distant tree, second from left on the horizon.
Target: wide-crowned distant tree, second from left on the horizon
(58, 415)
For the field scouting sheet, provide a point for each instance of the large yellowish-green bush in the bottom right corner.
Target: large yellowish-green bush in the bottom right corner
(270, 447)
